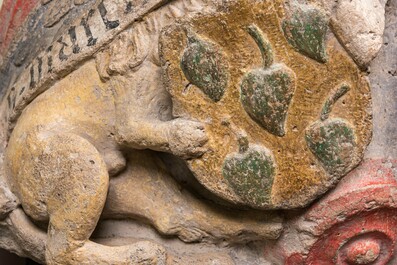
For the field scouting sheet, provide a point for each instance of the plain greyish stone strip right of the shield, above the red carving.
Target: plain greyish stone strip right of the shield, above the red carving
(383, 78)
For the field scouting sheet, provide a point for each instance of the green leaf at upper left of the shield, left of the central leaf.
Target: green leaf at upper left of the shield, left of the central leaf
(205, 66)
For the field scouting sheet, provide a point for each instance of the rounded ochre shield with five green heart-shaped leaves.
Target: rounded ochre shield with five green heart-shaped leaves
(287, 111)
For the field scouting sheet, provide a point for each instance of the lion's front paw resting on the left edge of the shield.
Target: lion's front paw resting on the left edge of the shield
(187, 138)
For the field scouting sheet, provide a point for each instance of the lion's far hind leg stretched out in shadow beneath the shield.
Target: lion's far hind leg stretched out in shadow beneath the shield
(200, 221)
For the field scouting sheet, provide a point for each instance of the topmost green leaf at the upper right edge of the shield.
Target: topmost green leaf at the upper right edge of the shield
(306, 30)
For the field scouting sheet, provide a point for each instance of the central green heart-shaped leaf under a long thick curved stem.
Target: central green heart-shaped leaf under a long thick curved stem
(266, 95)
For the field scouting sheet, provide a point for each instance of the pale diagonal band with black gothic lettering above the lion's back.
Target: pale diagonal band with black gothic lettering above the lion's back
(83, 39)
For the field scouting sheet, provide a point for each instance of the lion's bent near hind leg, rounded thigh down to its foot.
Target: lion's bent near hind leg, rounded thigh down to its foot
(75, 204)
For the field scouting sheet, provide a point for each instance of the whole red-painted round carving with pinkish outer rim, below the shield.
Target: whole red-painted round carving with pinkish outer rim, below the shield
(356, 224)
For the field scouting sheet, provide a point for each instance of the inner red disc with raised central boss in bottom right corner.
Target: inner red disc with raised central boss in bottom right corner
(368, 238)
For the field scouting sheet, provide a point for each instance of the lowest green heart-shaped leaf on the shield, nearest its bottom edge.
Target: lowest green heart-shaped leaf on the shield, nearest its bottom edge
(251, 175)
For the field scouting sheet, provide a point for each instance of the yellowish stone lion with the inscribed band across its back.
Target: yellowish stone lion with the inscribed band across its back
(64, 146)
